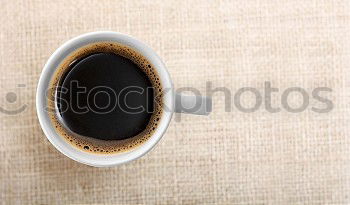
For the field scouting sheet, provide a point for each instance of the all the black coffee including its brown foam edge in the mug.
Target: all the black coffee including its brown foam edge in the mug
(108, 98)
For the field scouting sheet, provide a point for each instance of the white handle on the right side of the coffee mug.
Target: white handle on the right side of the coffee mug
(198, 105)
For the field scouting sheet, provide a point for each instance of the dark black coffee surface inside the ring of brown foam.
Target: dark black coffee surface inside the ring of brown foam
(105, 96)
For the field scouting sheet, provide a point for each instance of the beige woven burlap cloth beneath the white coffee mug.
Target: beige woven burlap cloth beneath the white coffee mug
(225, 158)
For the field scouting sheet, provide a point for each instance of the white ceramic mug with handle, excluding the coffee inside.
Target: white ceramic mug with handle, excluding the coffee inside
(172, 101)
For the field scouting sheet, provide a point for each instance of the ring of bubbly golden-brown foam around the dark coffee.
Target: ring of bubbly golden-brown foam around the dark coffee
(98, 146)
